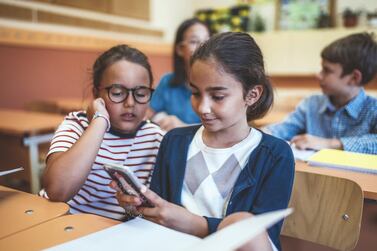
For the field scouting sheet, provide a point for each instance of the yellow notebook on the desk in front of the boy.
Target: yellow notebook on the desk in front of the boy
(345, 160)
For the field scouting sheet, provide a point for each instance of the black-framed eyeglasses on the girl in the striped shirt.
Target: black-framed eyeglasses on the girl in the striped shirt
(118, 93)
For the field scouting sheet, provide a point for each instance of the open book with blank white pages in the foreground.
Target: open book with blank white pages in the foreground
(140, 234)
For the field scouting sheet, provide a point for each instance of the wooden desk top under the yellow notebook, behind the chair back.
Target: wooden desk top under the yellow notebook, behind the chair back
(367, 182)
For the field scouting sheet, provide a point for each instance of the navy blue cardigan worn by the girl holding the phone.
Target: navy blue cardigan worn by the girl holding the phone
(265, 184)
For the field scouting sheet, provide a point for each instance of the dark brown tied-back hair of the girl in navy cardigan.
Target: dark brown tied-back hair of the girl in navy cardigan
(239, 55)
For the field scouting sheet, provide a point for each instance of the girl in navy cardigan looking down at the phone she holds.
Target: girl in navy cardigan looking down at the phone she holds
(204, 173)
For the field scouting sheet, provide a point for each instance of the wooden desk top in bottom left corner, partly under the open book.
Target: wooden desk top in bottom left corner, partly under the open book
(56, 232)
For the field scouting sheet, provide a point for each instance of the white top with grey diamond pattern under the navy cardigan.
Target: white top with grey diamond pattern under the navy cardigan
(212, 172)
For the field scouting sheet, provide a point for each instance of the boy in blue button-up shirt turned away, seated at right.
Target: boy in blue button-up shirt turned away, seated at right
(344, 117)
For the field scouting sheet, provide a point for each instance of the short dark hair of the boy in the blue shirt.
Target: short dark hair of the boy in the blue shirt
(356, 51)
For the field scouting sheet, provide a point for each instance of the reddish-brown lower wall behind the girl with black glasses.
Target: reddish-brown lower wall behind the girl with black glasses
(32, 73)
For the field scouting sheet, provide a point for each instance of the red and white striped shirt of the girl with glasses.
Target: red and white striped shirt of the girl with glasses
(138, 152)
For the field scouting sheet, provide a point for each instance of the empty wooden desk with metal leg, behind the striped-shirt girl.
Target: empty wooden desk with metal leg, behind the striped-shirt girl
(21, 132)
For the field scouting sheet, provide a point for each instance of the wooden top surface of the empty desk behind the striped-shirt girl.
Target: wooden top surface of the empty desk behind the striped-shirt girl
(21, 123)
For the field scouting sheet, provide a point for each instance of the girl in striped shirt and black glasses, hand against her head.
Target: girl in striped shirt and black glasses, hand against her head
(122, 81)
